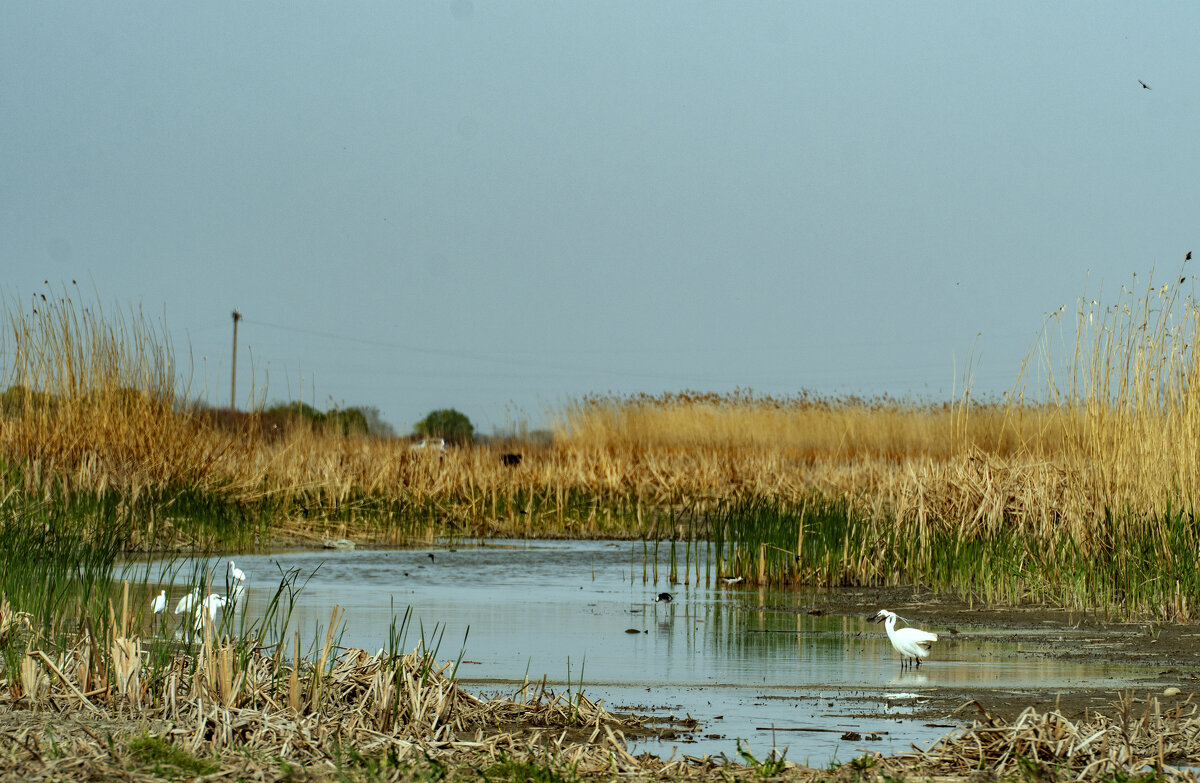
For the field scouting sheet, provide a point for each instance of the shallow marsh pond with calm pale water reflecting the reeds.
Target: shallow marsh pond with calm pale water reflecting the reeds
(766, 667)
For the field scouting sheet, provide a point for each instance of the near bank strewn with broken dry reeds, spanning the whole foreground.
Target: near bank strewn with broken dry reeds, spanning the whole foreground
(131, 704)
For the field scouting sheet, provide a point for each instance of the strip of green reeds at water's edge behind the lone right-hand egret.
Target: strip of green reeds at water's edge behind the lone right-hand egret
(1130, 565)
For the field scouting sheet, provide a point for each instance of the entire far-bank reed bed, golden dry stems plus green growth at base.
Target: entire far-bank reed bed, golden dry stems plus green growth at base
(1081, 495)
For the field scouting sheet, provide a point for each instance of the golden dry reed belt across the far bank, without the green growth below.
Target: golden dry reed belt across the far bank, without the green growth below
(1106, 420)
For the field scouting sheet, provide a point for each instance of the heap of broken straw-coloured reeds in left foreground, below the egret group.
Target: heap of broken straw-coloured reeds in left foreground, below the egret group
(233, 698)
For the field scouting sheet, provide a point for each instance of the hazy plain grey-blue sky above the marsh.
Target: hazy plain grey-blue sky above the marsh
(505, 207)
